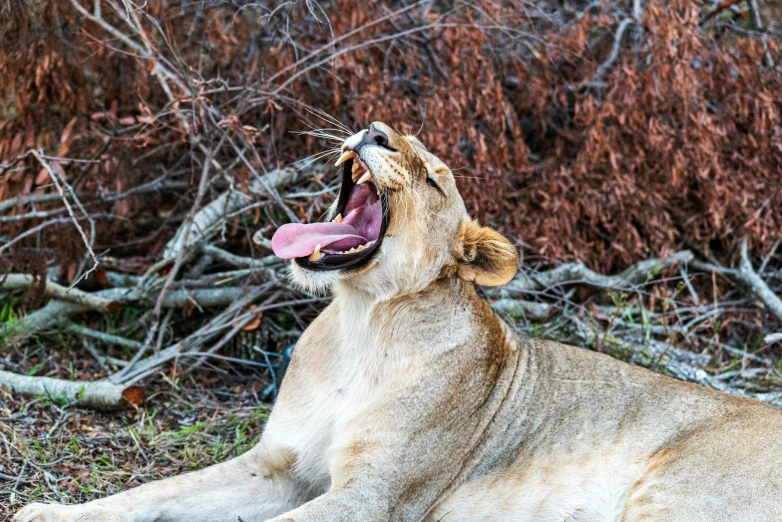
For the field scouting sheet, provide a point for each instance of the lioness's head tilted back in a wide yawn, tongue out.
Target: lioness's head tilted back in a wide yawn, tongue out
(398, 224)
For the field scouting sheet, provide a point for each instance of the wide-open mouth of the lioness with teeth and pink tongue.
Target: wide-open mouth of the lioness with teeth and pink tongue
(354, 233)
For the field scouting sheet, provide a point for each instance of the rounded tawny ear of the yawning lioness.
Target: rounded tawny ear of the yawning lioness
(486, 256)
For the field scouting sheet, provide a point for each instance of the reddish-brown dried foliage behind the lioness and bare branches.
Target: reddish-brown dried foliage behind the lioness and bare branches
(677, 143)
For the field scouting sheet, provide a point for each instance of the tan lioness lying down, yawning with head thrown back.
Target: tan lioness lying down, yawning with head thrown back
(407, 399)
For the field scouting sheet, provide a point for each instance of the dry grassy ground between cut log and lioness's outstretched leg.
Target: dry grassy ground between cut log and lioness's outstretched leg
(54, 453)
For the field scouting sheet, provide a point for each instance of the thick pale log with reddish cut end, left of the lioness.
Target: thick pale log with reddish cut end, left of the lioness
(99, 395)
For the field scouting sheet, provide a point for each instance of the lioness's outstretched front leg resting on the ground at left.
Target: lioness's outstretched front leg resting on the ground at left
(253, 487)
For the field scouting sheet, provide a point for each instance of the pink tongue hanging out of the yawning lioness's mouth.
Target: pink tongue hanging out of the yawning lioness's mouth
(297, 240)
